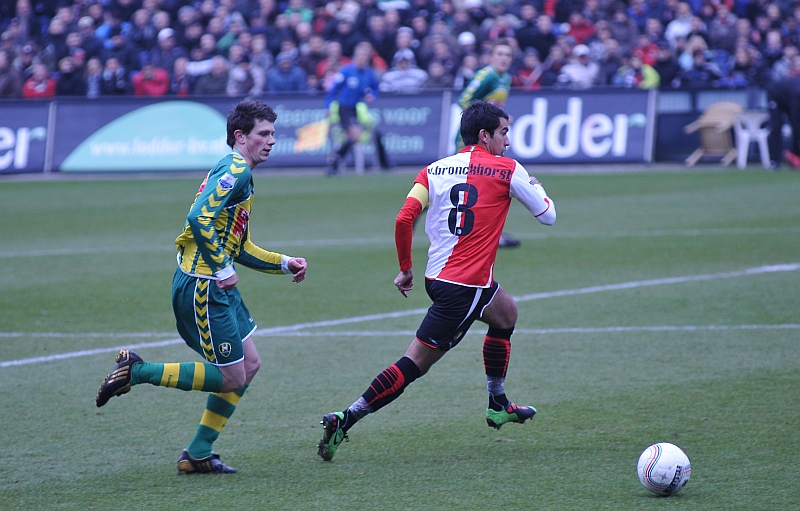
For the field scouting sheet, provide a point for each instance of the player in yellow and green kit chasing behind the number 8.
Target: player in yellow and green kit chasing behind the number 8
(210, 314)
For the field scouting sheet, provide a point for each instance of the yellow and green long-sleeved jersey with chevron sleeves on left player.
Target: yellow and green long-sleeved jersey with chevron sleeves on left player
(216, 233)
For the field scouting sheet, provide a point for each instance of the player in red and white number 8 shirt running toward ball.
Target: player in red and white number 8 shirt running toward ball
(468, 196)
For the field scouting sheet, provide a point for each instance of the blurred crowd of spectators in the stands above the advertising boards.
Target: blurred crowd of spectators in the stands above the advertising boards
(241, 47)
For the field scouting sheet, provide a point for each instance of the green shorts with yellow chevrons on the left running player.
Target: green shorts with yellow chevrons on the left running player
(211, 321)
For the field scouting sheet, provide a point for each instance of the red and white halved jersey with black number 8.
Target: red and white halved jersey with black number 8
(469, 194)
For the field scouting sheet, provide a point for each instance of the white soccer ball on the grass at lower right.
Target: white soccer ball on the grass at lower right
(664, 469)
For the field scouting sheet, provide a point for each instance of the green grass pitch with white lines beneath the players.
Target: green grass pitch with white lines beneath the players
(661, 306)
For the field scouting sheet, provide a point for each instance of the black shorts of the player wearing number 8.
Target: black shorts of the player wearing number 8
(454, 310)
